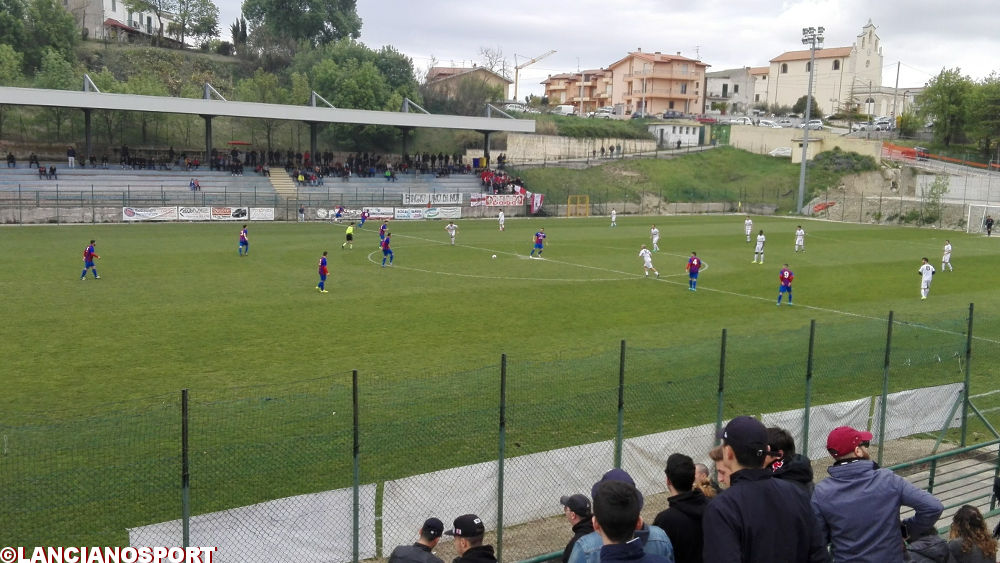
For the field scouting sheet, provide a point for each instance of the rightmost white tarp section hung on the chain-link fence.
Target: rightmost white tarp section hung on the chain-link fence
(918, 410)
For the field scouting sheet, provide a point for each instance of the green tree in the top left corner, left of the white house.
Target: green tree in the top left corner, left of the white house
(48, 26)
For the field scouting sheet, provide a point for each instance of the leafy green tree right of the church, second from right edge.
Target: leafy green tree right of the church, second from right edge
(945, 100)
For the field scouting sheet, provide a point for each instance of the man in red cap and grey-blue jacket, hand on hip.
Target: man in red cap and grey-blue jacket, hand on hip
(857, 507)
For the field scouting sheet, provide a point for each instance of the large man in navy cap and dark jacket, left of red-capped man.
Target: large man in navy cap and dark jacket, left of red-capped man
(758, 519)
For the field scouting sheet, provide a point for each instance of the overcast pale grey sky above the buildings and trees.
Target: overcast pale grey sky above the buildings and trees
(923, 35)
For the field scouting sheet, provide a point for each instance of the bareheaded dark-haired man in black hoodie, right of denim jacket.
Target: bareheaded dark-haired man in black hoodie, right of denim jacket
(682, 521)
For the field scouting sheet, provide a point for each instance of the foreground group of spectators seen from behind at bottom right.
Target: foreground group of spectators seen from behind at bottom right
(763, 507)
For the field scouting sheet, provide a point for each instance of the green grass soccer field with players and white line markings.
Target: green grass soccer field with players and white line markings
(176, 307)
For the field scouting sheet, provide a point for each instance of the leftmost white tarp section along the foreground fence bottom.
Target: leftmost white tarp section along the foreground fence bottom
(305, 528)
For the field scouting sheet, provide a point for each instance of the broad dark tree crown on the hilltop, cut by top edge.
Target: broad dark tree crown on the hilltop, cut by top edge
(315, 21)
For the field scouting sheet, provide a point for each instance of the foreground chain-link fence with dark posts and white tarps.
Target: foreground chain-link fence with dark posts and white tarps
(347, 466)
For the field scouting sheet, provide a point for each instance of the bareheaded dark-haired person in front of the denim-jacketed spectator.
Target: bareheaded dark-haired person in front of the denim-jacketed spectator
(616, 516)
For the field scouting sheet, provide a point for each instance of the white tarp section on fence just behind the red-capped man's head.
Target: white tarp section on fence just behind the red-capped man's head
(822, 419)
